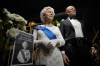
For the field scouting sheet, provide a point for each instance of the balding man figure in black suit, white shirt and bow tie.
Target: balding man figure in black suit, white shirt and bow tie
(76, 50)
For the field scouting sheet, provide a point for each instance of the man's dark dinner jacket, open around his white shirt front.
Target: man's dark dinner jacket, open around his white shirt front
(68, 31)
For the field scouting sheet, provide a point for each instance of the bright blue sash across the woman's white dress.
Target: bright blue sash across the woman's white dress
(47, 32)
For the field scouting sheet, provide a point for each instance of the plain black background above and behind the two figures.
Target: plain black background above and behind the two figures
(88, 10)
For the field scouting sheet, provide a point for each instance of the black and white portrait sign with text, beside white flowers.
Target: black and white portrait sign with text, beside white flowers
(23, 48)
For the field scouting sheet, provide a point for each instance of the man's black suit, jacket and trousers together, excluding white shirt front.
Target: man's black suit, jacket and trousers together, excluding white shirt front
(76, 48)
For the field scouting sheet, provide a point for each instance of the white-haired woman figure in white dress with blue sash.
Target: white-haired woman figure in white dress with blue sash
(48, 38)
